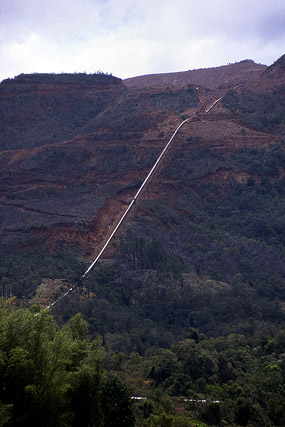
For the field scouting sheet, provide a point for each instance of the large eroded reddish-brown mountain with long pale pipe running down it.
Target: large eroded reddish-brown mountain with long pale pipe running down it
(75, 149)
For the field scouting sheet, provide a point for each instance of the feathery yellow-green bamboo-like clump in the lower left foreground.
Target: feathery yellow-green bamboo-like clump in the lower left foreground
(53, 377)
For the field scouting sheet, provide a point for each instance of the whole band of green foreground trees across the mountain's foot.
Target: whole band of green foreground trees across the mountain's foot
(52, 376)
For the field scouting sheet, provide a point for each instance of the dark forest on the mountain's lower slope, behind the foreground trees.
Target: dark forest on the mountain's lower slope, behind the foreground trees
(234, 235)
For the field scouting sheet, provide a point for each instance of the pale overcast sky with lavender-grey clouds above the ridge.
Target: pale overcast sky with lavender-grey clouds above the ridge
(134, 37)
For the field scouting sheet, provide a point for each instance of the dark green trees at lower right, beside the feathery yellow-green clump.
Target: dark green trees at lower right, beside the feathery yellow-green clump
(230, 380)
